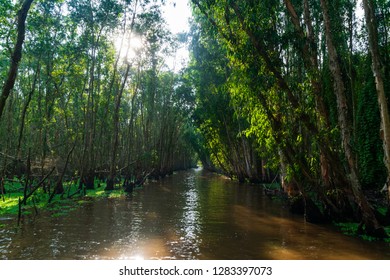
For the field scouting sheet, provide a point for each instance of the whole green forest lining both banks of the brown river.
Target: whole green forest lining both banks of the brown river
(287, 91)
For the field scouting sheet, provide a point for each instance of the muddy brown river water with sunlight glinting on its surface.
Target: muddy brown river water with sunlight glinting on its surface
(191, 215)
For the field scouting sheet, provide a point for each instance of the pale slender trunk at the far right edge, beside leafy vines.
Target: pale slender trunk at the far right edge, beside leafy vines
(377, 70)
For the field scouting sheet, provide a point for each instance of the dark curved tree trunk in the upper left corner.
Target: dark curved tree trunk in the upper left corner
(16, 54)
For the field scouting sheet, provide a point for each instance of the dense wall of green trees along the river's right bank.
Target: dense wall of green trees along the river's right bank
(264, 77)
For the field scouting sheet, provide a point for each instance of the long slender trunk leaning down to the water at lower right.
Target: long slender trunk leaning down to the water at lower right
(368, 218)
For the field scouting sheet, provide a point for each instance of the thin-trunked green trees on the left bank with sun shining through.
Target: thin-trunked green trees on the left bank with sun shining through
(68, 87)
